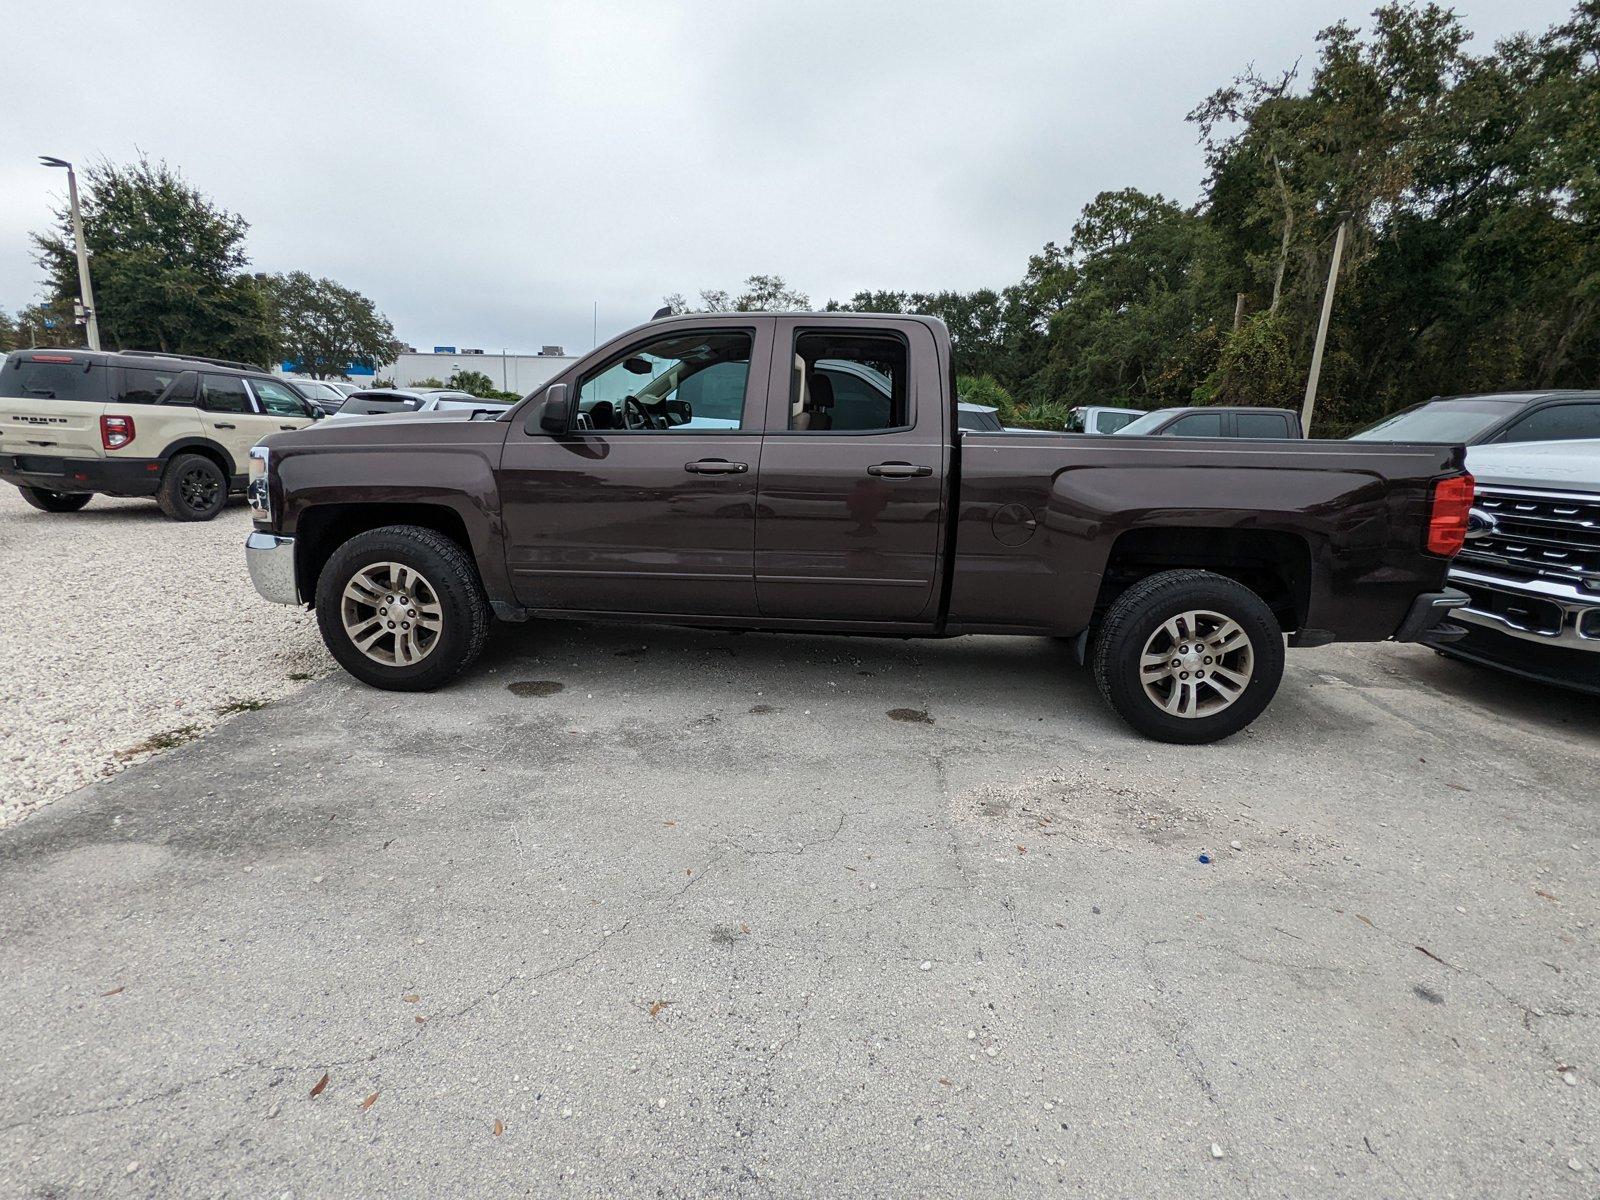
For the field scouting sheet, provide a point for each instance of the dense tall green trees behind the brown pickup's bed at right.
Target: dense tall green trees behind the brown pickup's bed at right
(1471, 185)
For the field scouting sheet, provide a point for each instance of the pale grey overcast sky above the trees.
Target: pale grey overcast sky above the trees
(489, 172)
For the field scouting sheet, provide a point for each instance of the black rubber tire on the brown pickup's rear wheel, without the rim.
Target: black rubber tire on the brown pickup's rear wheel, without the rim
(1135, 622)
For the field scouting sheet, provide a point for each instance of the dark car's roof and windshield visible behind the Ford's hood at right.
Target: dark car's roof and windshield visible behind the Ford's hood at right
(1486, 420)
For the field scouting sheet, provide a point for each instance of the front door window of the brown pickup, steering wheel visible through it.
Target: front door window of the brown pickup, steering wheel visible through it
(682, 383)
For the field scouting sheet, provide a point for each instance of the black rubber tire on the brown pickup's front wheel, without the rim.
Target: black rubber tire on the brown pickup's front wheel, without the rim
(449, 575)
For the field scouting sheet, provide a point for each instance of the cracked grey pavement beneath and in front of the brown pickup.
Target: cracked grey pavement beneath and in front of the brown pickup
(666, 913)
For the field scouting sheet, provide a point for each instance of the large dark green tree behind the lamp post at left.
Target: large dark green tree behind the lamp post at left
(169, 266)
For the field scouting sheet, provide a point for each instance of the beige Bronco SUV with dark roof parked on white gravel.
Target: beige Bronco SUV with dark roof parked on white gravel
(137, 423)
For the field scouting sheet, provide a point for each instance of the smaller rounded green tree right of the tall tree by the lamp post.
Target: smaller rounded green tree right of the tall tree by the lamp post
(326, 329)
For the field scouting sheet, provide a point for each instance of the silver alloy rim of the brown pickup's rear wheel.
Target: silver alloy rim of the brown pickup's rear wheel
(1196, 665)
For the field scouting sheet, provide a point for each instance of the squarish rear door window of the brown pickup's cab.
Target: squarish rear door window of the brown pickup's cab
(849, 383)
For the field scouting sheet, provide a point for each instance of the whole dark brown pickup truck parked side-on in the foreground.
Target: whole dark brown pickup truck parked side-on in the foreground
(806, 473)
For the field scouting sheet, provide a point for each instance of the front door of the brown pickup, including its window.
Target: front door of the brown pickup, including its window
(649, 506)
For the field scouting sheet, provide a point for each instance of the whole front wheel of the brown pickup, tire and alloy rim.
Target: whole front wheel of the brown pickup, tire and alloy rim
(402, 609)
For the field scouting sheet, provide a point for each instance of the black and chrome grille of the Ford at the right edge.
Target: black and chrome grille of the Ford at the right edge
(1537, 535)
